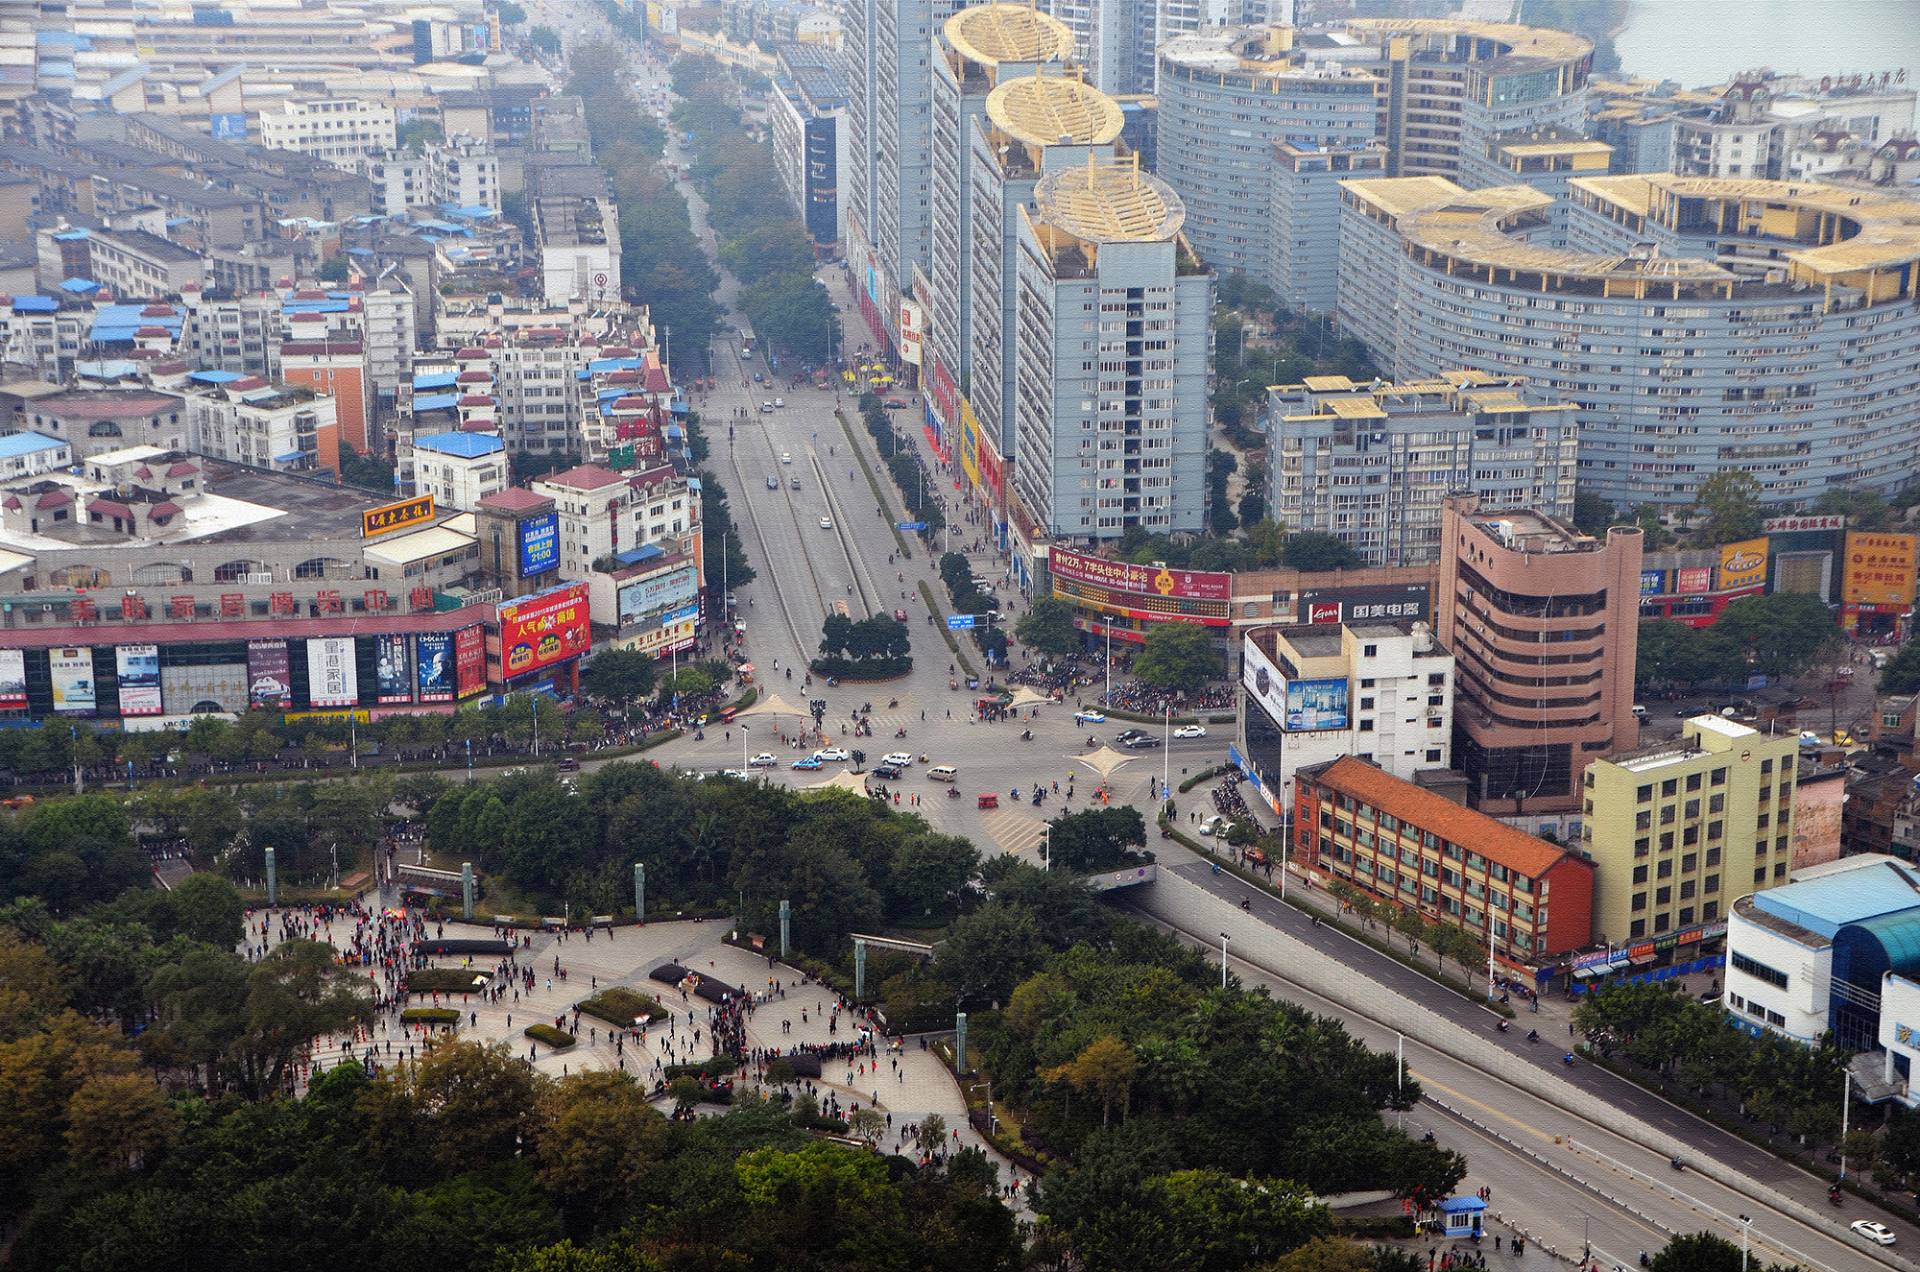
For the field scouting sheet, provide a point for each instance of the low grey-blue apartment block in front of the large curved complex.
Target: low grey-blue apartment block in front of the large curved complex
(1374, 464)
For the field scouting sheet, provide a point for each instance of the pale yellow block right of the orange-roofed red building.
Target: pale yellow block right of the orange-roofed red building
(1679, 831)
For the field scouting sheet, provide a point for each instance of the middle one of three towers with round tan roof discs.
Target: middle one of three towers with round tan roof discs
(1034, 126)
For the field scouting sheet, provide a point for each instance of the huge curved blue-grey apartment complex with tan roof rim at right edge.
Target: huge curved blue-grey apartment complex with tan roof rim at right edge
(1702, 326)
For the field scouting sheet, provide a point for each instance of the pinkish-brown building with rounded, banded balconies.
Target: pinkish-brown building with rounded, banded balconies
(1545, 625)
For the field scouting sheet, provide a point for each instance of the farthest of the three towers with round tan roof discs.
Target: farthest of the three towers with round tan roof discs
(976, 51)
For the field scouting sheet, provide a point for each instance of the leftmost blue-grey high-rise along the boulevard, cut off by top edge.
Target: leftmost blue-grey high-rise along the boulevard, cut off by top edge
(890, 55)
